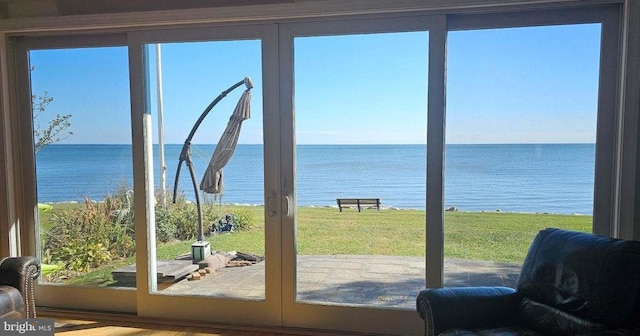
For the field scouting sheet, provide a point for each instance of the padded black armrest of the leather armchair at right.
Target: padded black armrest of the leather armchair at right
(467, 307)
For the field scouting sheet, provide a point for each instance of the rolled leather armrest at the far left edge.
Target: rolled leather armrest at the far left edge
(21, 273)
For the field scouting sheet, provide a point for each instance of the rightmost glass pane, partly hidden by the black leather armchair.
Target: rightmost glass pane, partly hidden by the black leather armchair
(520, 153)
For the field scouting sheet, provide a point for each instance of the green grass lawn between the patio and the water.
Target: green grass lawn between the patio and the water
(468, 235)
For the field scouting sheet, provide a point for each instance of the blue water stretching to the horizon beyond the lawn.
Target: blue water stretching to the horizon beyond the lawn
(553, 178)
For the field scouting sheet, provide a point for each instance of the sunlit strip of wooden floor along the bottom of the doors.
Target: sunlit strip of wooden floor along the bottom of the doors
(87, 324)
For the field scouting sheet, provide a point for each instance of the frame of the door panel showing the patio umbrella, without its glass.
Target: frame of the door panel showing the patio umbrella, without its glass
(156, 304)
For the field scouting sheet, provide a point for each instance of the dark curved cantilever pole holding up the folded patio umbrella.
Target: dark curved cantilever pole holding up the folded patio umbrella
(185, 154)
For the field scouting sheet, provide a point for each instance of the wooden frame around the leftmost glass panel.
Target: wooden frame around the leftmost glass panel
(49, 294)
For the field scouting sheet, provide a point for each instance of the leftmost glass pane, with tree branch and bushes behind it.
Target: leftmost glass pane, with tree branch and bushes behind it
(82, 136)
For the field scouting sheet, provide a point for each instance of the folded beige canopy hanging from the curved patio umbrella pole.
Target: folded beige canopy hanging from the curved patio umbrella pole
(212, 181)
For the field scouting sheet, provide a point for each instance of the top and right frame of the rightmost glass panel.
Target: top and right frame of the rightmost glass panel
(611, 148)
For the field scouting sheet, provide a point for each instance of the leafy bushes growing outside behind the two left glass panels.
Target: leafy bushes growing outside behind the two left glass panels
(96, 233)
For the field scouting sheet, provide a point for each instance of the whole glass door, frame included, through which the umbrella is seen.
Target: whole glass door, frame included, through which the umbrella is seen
(201, 106)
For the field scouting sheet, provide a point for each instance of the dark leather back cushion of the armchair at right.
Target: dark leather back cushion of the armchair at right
(593, 277)
